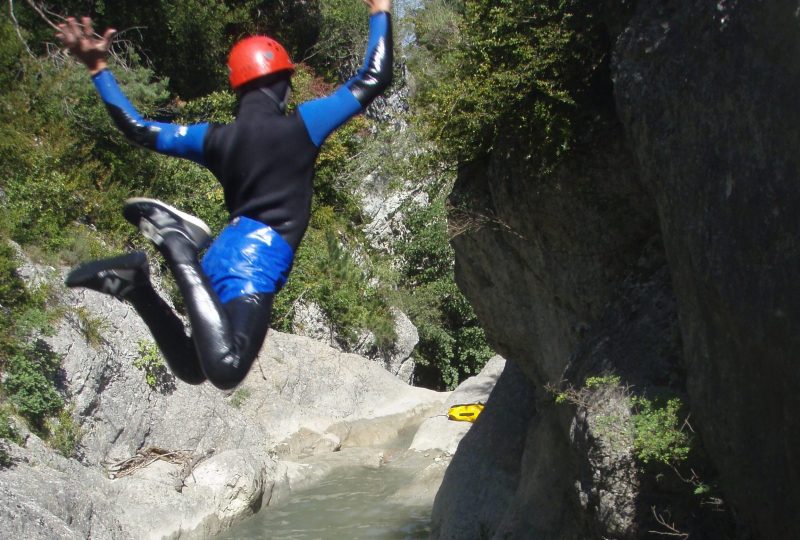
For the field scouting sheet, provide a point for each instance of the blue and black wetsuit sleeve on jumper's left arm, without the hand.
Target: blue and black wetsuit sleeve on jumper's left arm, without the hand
(170, 139)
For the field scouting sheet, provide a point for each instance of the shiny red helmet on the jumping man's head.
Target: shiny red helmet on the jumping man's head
(255, 57)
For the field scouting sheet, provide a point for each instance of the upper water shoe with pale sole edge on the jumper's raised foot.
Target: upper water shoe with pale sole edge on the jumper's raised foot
(156, 220)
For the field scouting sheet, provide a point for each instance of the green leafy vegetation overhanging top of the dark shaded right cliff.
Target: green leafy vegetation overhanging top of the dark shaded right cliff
(534, 69)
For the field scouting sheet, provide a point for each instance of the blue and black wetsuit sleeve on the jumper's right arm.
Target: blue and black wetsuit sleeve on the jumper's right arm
(322, 116)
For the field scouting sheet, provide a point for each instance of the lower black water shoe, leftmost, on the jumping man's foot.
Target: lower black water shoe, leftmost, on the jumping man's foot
(116, 276)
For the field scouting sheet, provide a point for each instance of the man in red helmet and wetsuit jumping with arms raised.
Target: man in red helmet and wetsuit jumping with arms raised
(265, 163)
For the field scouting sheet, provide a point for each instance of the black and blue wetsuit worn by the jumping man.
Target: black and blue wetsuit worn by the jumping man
(265, 163)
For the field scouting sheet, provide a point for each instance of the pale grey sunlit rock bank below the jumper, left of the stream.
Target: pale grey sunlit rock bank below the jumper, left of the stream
(230, 440)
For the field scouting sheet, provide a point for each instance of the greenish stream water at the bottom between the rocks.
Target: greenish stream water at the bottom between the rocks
(351, 503)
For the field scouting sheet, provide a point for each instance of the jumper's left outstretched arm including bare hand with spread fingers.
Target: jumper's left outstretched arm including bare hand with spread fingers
(92, 51)
